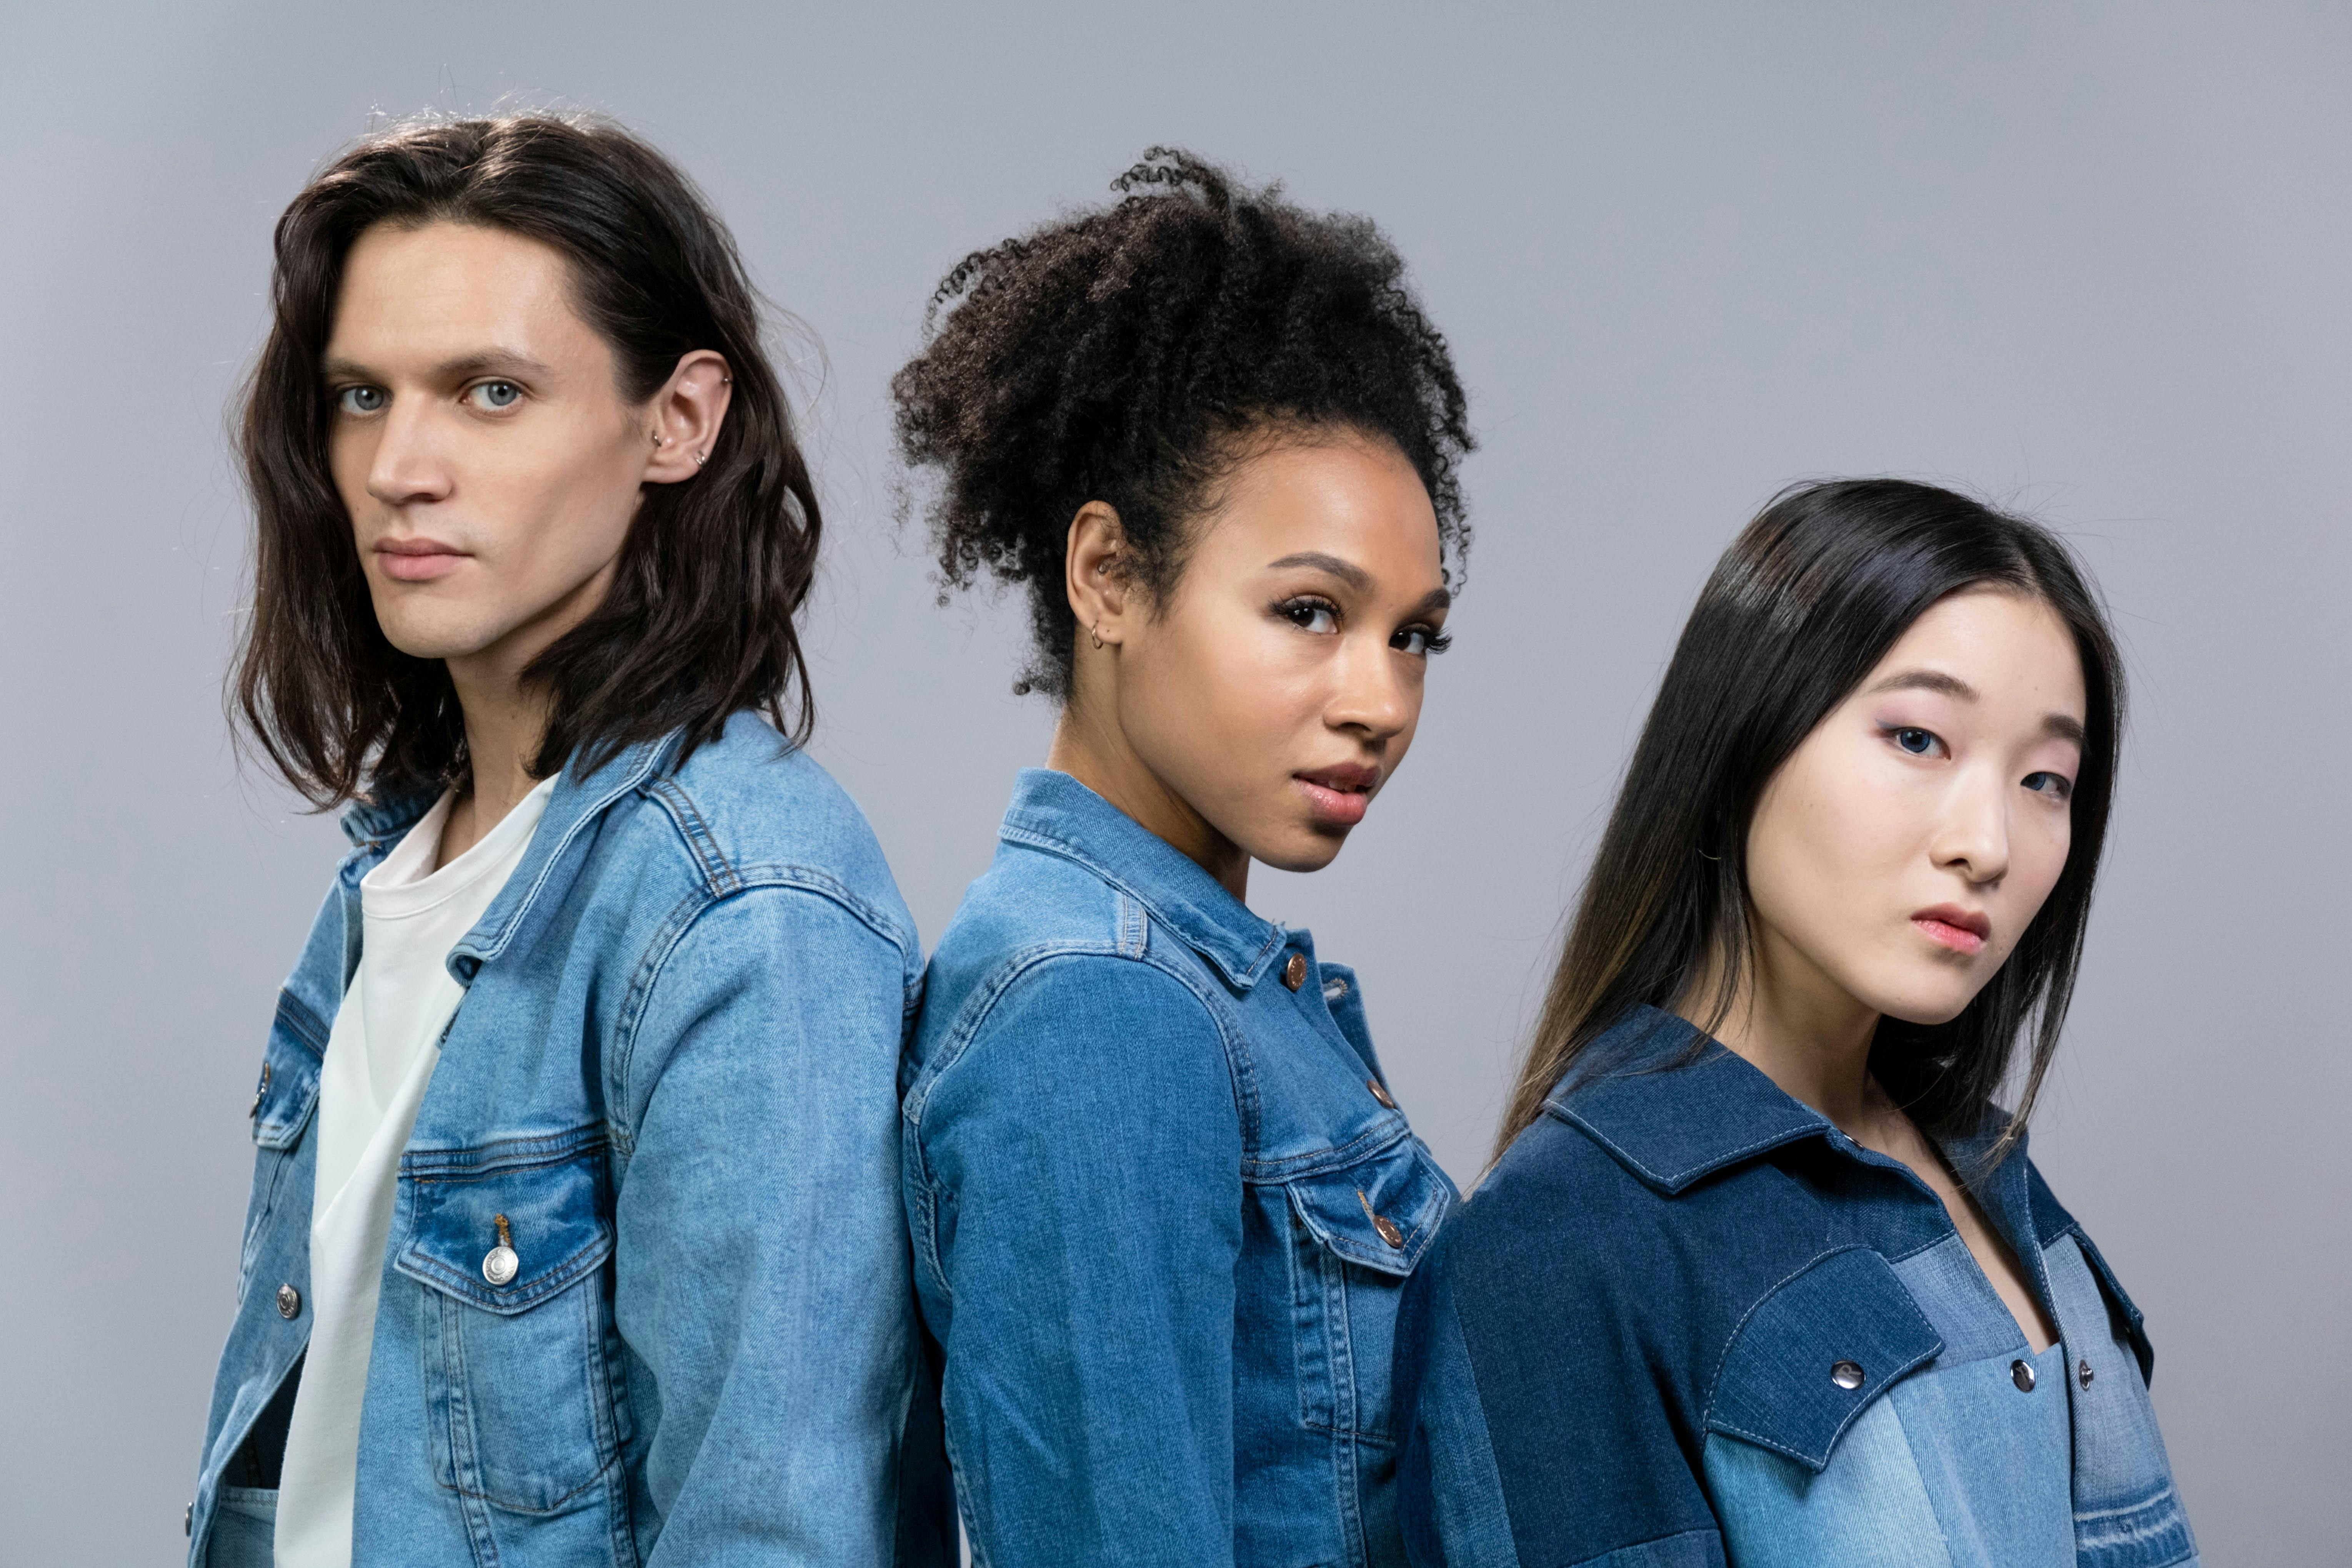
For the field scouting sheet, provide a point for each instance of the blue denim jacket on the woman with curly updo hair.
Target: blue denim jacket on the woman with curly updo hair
(1163, 1209)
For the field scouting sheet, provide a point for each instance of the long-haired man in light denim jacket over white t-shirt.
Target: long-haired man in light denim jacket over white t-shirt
(575, 1228)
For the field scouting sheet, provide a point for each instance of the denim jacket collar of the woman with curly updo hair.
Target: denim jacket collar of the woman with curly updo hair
(1062, 817)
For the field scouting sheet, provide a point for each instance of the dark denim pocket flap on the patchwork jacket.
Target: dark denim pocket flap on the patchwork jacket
(1819, 1351)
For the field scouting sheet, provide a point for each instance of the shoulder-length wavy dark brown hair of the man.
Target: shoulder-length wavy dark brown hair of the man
(700, 615)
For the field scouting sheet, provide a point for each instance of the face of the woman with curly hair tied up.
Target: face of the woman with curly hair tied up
(1281, 683)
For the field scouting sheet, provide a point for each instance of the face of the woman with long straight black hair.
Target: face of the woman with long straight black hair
(1911, 840)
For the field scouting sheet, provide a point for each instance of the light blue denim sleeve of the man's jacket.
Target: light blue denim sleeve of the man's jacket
(761, 1266)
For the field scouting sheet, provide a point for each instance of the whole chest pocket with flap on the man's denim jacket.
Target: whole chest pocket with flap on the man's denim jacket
(509, 1242)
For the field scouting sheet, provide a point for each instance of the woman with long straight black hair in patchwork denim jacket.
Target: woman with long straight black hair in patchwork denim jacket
(1763, 1273)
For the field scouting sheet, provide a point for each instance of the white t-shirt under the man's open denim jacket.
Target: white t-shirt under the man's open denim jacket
(380, 1059)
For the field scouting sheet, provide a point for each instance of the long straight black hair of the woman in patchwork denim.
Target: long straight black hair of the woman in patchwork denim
(1803, 605)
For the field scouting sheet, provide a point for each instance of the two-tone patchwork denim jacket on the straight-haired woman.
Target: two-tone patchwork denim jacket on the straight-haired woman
(1690, 1322)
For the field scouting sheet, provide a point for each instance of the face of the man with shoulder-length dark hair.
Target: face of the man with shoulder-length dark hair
(479, 441)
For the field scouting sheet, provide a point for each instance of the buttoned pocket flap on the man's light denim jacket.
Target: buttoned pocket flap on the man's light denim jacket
(505, 1226)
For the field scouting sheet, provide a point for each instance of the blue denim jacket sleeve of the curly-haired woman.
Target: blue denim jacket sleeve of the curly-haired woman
(1081, 1167)
